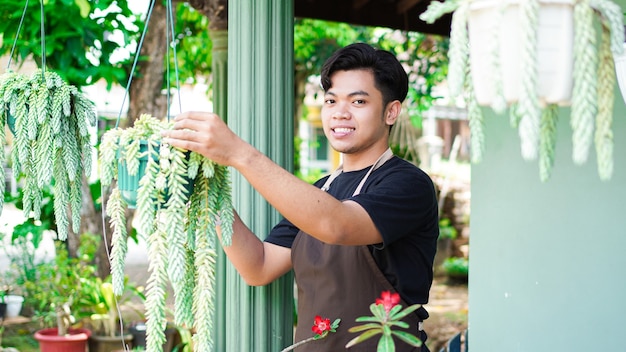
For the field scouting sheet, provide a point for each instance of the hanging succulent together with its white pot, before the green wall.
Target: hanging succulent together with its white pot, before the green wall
(510, 70)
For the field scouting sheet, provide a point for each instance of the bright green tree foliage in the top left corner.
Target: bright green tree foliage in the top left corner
(81, 37)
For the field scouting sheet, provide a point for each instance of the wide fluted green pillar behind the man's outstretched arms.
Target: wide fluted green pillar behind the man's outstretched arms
(260, 110)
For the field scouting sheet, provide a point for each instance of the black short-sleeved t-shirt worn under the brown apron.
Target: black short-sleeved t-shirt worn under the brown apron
(400, 198)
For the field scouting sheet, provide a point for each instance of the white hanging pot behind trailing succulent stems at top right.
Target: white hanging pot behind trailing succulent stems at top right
(494, 27)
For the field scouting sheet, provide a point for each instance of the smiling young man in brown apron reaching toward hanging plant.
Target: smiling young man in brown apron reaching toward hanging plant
(370, 227)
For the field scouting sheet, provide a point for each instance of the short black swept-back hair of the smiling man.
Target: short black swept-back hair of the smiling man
(389, 75)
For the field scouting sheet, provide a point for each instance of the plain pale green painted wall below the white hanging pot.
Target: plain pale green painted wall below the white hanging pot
(547, 259)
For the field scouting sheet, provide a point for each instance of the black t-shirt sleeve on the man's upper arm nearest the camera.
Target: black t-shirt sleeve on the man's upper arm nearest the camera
(401, 203)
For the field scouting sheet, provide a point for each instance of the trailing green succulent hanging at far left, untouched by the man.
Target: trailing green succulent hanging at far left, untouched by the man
(49, 120)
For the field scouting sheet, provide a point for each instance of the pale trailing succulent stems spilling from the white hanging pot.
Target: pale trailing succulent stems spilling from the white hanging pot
(593, 80)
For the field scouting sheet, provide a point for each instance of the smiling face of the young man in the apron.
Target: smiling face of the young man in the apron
(353, 112)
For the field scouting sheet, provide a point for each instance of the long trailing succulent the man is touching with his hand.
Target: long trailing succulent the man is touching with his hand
(178, 224)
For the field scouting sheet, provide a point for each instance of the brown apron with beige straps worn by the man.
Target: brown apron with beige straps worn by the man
(340, 282)
